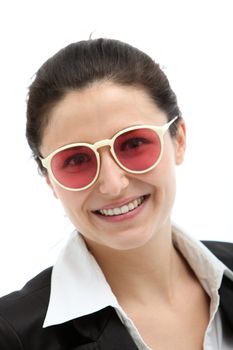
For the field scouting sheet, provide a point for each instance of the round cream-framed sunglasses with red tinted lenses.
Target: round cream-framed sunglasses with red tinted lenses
(136, 149)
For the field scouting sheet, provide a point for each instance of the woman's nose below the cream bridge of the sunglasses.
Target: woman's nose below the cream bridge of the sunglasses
(112, 179)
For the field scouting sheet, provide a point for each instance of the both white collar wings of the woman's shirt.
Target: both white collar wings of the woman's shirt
(79, 287)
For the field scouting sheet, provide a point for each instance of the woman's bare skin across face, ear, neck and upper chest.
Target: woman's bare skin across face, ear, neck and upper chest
(136, 255)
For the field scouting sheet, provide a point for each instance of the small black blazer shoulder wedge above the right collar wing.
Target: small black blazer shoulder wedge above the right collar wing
(222, 250)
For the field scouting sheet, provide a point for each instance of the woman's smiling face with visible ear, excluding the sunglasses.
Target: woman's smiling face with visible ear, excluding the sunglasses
(97, 113)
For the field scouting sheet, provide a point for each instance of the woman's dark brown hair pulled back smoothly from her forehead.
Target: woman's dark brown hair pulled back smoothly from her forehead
(80, 64)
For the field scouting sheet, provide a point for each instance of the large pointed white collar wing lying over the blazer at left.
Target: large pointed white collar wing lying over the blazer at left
(78, 286)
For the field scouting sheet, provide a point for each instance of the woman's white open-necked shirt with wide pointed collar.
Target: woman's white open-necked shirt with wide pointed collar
(79, 287)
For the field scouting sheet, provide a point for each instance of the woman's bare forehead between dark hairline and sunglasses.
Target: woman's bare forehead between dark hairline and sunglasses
(98, 112)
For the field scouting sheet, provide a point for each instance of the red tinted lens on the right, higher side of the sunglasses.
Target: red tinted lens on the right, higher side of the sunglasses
(138, 149)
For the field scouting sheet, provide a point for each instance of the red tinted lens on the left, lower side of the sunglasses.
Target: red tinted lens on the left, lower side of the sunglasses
(75, 167)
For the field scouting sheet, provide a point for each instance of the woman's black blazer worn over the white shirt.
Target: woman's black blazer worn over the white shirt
(22, 314)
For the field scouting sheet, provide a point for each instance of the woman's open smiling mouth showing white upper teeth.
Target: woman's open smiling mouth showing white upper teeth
(124, 209)
